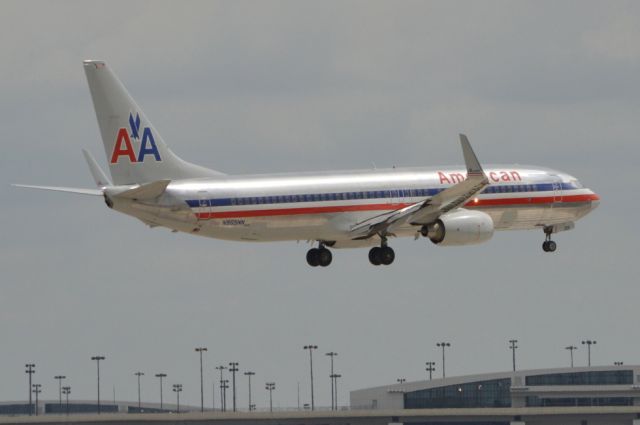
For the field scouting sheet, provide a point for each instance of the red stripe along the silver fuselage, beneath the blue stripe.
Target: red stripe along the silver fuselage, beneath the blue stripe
(390, 207)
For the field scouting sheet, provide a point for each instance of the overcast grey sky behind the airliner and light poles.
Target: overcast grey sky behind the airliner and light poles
(246, 87)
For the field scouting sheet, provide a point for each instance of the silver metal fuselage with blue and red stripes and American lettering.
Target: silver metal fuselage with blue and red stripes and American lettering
(325, 206)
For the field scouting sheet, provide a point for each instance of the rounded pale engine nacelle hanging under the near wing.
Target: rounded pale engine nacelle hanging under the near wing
(462, 227)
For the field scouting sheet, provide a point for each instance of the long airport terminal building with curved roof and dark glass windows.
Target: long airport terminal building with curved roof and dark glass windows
(565, 387)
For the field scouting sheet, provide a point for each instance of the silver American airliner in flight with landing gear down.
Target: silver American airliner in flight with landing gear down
(450, 206)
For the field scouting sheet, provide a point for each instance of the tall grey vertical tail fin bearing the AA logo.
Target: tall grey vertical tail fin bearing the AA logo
(135, 151)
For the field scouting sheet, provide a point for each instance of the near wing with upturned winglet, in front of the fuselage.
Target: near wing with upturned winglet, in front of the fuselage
(428, 210)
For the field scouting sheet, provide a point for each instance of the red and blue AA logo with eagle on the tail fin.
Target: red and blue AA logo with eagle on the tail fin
(124, 146)
